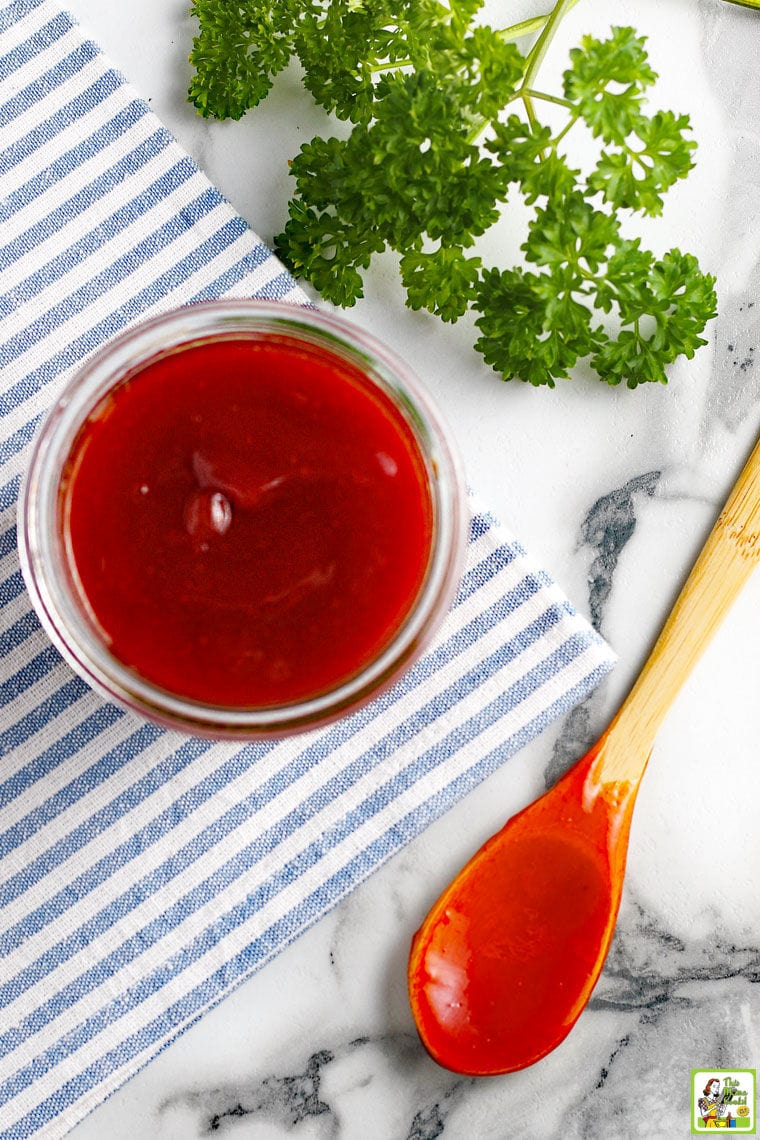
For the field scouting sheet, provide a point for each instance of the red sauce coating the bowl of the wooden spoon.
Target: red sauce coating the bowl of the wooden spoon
(505, 963)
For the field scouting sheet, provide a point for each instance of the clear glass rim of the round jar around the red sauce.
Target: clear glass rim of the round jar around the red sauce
(40, 545)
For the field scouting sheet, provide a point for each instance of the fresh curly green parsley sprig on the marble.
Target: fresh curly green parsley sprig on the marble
(436, 151)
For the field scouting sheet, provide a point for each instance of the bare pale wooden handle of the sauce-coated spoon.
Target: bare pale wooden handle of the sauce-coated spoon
(726, 561)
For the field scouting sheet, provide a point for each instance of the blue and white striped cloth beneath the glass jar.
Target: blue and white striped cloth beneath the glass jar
(144, 874)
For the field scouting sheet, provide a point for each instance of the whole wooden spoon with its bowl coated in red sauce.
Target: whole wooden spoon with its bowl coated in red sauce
(508, 958)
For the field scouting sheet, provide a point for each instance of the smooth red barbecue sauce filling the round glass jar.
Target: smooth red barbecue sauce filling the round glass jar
(250, 522)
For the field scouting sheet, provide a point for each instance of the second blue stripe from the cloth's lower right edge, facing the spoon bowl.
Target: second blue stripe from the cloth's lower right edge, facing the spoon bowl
(145, 988)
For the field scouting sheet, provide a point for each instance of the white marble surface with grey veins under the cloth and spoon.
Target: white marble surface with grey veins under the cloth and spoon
(614, 492)
